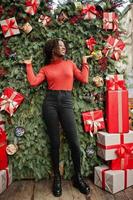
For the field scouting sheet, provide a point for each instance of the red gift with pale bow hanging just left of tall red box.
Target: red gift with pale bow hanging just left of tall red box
(93, 121)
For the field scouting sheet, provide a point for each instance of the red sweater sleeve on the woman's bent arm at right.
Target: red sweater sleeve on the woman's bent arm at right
(83, 74)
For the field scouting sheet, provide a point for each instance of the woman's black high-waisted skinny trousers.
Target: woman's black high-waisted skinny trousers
(57, 107)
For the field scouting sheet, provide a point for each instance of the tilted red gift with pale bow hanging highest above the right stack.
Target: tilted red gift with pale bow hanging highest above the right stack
(113, 48)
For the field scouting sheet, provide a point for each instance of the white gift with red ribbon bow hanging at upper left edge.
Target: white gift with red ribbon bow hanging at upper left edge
(9, 27)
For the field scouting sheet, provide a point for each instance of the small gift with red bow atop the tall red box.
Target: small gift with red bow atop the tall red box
(115, 82)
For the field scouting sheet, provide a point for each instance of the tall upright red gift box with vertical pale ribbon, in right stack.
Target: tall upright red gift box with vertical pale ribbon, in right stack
(117, 114)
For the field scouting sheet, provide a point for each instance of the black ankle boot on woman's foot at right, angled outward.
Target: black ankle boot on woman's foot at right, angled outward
(80, 184)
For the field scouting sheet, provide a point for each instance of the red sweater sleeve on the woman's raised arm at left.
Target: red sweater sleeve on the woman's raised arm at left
(33, 79)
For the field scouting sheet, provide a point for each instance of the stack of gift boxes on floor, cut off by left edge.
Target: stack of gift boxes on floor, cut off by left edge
(5, 170)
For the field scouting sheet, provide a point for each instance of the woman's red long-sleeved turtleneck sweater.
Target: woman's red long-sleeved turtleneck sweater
(59, 75)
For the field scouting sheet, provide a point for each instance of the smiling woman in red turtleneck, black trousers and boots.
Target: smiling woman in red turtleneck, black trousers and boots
(57, 107)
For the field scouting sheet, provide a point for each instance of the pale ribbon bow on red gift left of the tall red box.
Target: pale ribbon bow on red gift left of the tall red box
(95, 124)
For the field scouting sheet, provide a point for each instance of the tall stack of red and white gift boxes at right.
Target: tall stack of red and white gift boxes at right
(116, 145)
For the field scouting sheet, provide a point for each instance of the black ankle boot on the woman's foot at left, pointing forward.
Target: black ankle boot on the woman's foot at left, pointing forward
(57, 190)
